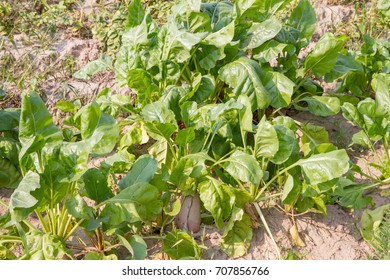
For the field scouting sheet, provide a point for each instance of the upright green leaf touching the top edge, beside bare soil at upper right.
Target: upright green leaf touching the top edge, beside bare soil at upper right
(303, 18)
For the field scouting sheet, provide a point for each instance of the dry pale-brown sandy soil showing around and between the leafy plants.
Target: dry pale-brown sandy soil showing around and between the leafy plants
(334, 237)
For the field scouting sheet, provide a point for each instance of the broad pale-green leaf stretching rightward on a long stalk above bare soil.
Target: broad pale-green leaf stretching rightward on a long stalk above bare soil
(324, 167)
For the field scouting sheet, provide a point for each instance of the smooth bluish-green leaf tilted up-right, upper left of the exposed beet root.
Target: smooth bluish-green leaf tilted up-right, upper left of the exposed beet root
(142, 170)
